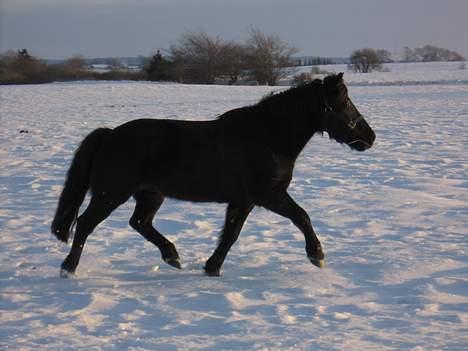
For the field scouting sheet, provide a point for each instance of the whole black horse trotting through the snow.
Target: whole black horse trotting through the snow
(244, 158)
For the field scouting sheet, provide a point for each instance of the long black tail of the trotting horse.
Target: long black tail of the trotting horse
(76, 184)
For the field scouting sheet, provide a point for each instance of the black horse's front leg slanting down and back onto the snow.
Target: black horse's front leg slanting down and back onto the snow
(235, 218)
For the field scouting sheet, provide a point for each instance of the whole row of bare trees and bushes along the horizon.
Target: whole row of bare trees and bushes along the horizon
(200, 58)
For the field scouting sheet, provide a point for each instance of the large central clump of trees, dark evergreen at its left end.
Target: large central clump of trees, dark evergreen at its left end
(201, 58)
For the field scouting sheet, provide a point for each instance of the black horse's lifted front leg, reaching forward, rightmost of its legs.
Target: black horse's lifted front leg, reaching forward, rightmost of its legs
(284, 205)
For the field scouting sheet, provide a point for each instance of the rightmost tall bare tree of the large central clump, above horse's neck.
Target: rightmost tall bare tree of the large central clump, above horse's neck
(269, 57)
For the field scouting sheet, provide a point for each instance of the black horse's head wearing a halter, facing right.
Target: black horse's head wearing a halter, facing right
(342, 120)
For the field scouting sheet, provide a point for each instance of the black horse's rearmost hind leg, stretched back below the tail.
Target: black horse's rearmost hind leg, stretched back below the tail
(98, 209)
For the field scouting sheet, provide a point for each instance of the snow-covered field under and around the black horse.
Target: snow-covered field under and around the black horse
(393, 222)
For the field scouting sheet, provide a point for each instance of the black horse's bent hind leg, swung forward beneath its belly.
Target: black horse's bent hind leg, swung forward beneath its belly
(147, 204)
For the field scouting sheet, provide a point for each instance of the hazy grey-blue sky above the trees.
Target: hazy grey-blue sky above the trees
(102, 28)
